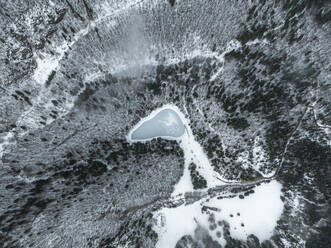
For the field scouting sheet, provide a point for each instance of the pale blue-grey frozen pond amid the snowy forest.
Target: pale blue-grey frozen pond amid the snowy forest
(165, 123)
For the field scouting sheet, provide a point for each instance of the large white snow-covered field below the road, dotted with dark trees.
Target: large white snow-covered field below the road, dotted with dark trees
(256, 214)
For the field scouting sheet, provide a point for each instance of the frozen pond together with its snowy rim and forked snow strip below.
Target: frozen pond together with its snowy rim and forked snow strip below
(168, 122)
